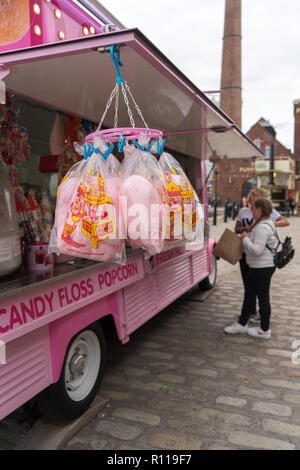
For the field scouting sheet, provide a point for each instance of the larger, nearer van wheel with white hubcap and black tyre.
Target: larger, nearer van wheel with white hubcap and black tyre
(80, 378)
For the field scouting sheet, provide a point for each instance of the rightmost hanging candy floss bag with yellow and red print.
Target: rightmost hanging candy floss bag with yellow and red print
(183, 216)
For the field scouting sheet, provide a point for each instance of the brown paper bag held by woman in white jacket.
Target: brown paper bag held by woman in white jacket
(229, 247)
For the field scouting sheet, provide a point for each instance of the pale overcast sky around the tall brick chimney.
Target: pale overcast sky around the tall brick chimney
(190, 34)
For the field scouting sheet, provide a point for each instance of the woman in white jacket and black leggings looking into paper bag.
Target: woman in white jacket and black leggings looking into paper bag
(257, 245)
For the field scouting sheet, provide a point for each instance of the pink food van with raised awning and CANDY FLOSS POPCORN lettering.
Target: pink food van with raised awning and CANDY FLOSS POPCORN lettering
(53, 322)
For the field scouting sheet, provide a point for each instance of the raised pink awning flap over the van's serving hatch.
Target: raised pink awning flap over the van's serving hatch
(76, 77)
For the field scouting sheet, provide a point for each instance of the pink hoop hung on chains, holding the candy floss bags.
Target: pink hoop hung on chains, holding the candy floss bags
(132, 133)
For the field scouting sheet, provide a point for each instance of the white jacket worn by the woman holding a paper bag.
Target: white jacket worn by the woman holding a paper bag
(255, 246)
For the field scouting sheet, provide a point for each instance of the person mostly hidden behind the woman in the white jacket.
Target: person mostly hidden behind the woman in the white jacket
(244, 223)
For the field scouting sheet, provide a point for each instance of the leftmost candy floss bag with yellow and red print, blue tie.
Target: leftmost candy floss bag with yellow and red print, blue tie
(87, 223)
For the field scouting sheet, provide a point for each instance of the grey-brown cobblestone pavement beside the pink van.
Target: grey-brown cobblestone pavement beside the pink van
(182, 384)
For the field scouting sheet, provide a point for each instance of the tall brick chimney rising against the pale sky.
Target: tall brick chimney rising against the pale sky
(231, 84)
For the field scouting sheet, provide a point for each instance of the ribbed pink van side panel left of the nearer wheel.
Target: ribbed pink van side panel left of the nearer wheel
(27, 371)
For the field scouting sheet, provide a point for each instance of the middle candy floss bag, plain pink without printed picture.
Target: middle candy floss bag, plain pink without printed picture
(142, 194)
